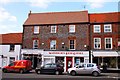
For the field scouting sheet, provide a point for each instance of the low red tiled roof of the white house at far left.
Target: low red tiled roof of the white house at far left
(11, 38)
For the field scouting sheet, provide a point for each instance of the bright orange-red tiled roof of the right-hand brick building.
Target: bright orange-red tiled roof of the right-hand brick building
(104, 17)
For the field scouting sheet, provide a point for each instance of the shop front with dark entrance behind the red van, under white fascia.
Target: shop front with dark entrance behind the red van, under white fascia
(33, 55)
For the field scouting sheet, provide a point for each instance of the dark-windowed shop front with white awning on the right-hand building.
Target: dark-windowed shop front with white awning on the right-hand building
(107, 58)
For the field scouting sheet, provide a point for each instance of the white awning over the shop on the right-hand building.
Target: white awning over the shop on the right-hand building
(105, 54)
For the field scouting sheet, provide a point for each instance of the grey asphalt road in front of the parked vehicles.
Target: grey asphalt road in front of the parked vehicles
(32, 75)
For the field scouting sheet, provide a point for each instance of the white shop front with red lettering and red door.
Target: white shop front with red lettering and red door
(67, 59)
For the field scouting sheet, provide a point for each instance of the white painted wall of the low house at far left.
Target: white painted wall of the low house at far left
(4, 50)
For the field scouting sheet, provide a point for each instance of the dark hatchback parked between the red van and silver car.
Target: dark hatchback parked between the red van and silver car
(50, 68)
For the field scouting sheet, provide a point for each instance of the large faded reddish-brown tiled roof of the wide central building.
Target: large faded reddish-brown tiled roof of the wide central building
(56, 18)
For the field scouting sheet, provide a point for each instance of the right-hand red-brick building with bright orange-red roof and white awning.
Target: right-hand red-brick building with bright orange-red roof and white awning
(104, 38)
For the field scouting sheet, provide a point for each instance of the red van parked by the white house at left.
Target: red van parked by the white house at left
(20, 66)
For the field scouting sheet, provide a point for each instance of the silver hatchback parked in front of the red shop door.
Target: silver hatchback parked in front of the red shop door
(85, 68)
